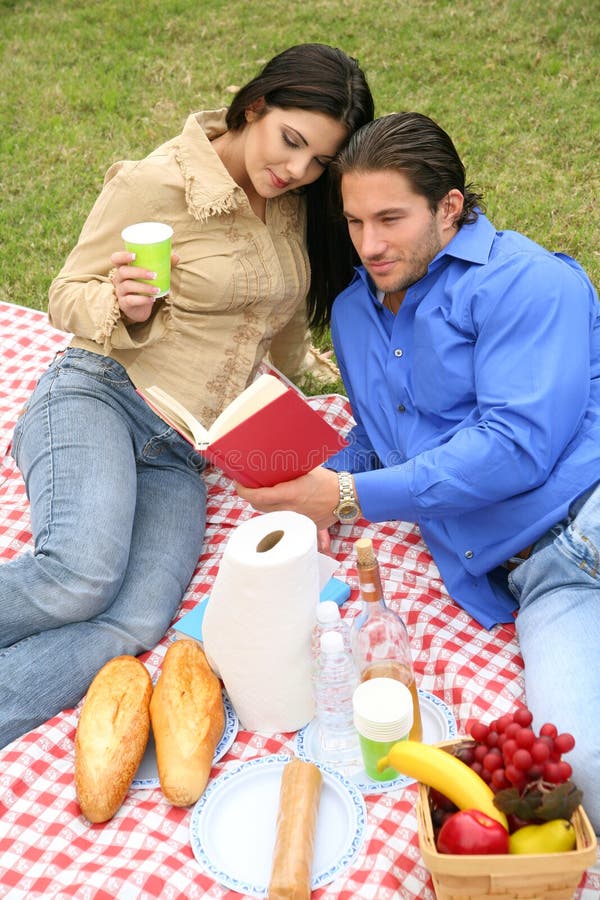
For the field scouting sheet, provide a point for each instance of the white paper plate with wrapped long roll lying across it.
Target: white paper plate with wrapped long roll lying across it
(233, 826)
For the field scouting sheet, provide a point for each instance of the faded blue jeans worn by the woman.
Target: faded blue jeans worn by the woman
(118, 511)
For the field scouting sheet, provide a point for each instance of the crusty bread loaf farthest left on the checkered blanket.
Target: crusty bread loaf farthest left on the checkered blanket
(111, 736)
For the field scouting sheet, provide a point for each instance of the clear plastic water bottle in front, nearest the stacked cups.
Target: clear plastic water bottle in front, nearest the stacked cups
(334, 684)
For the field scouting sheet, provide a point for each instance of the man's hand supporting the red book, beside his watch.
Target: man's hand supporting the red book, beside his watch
(314, 495)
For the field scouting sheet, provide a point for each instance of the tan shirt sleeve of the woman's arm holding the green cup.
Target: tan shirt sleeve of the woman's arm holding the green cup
(82, 298)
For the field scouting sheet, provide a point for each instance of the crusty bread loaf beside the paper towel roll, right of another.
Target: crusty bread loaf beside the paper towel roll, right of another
(187, 720)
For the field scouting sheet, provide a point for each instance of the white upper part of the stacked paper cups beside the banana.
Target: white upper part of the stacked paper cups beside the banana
(383, 709)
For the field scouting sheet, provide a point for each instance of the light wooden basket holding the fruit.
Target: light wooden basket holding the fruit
(545, 876)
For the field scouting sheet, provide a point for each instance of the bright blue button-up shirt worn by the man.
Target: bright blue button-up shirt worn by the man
(477, 405)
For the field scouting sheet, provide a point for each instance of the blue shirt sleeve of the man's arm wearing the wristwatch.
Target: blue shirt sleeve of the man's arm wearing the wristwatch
(532, 381)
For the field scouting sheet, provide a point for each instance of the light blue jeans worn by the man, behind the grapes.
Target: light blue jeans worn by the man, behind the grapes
(558, 626)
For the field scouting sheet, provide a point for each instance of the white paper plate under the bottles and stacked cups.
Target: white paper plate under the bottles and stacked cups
(439, 724)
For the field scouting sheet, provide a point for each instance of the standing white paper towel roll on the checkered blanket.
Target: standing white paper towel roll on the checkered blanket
(257, 626)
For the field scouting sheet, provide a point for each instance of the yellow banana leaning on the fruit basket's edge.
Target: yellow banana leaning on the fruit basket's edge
(444, 772)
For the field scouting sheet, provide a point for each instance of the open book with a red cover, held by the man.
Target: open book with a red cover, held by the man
(268, 434)
